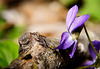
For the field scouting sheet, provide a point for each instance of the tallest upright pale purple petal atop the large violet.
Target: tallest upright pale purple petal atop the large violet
(71, 16)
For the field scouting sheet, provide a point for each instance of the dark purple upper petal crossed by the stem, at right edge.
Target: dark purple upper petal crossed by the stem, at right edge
(97, 47)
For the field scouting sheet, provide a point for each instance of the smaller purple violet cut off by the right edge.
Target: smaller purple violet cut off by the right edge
(93, 55)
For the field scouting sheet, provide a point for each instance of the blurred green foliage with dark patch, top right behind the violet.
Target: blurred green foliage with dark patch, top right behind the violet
(91, 7)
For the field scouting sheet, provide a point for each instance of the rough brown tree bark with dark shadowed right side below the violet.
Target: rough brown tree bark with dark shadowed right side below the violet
(38, 52)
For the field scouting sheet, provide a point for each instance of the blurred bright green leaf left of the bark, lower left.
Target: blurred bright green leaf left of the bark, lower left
(8, 52)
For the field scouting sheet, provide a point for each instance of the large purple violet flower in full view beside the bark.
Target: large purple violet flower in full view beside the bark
(73, 24)
